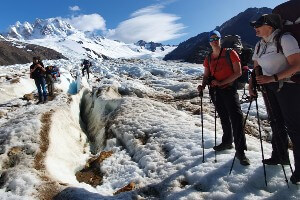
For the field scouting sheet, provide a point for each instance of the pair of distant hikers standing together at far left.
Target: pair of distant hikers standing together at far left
(41, 76)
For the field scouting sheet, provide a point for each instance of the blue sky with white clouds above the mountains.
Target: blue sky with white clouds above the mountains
(166, 21)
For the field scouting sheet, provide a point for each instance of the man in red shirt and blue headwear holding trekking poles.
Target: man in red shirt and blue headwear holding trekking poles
(220, 77)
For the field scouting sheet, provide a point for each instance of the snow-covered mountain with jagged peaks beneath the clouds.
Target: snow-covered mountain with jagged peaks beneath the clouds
(57, 34)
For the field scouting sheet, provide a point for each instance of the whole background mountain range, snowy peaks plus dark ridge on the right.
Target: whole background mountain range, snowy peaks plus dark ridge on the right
(22, 41)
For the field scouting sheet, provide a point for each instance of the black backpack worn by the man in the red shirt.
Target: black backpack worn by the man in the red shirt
(234, 42)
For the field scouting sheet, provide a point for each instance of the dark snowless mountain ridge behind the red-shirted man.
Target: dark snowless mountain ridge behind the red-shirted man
(196, 48)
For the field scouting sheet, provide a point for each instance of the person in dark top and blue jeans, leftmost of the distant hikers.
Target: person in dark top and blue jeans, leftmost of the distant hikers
(37, 72)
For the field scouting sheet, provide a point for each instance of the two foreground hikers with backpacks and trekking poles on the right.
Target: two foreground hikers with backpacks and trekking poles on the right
(275, 73)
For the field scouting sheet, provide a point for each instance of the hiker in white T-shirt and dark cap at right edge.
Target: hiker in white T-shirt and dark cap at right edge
(283, 95)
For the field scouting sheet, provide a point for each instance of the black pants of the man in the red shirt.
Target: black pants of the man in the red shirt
(228, 106)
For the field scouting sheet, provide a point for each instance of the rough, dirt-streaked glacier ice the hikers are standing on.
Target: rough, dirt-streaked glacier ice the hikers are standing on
(145, 112)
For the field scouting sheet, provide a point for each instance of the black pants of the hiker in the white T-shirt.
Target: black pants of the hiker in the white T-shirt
(286, 104)
